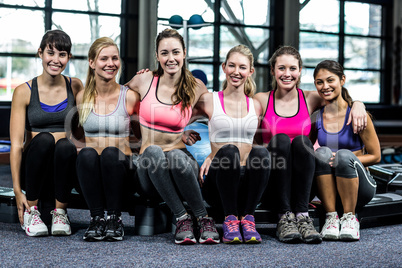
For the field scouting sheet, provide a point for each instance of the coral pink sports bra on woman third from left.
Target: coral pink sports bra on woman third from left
(160, 116)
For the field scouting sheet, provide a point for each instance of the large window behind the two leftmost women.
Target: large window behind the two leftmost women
(18, 46)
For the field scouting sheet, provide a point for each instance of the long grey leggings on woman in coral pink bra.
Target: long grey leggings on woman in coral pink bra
(171, 175)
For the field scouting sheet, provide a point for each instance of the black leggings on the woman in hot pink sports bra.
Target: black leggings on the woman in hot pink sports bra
(292, 173)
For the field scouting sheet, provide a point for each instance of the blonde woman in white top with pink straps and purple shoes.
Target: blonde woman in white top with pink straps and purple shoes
(236, 172)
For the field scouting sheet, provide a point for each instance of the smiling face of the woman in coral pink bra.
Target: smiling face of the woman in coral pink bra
(170, 55)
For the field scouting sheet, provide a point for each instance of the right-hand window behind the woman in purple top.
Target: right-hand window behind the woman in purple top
(353, 33)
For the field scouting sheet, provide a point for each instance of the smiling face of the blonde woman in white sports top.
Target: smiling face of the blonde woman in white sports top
(237, 69)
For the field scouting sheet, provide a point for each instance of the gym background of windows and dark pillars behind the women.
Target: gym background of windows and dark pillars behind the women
(364, 36)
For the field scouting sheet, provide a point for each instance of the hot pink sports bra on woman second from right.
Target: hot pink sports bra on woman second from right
(298, 124)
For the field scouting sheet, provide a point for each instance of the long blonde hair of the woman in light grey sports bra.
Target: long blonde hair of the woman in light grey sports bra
(88, 100)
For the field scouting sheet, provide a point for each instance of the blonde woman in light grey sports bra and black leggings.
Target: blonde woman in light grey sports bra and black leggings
(104, 165)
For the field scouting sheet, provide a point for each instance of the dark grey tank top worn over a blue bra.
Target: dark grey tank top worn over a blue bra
(38, 120)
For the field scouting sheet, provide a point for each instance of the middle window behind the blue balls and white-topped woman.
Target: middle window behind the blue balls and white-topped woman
(238, 22)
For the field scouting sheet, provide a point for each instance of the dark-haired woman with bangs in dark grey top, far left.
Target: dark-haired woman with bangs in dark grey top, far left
(42, 159)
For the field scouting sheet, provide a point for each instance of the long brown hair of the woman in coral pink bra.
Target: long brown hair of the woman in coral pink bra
(185, 87)
